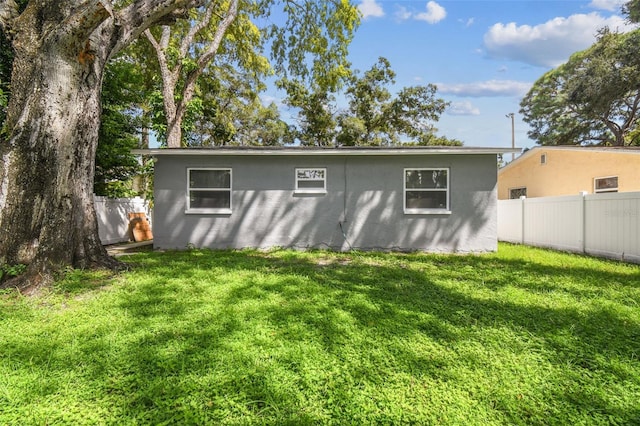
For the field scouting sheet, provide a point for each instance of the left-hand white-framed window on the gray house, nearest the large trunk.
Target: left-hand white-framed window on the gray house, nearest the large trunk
(209, 191)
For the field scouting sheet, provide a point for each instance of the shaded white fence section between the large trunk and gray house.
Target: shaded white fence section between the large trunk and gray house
(113, 217)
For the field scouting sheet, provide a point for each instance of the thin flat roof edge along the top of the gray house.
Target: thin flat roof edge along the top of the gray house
(305, 151)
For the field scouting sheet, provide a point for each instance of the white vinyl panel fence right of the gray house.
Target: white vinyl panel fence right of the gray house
(606, 225)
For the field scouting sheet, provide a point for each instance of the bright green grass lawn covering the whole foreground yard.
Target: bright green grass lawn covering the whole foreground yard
(523, 336)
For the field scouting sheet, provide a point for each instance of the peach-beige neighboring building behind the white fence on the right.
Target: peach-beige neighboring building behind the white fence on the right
(547, 171)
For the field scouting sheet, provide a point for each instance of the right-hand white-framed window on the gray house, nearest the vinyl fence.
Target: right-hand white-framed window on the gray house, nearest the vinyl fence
(426, 191)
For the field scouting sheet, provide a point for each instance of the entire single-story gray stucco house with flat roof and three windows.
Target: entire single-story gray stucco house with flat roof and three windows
(437, 199)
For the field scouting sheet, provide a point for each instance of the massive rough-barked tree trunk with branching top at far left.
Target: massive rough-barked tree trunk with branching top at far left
(47, 217)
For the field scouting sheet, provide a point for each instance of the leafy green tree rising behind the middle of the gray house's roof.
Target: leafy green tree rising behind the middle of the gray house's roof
(374, 116)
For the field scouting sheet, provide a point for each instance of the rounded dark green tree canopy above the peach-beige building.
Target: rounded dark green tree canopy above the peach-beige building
(593, 98)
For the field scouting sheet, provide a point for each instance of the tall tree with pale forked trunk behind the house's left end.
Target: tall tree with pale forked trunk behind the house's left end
(307, 38)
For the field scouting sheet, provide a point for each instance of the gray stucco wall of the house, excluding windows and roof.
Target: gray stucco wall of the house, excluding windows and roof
(364, 195)
